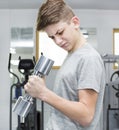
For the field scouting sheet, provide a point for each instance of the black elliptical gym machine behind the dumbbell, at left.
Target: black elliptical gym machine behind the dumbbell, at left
(30, 122)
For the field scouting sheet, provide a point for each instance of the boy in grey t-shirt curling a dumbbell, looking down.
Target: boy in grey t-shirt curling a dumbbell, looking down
(77, 98)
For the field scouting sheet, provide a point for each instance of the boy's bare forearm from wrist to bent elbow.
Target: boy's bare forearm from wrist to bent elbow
(74, 110)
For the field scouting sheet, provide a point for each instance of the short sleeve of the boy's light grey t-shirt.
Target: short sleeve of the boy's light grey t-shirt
(90, 72)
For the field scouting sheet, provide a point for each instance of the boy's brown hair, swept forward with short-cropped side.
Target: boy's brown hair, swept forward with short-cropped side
(52, 12)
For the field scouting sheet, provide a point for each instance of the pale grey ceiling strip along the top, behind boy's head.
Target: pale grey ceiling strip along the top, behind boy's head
(75, 4)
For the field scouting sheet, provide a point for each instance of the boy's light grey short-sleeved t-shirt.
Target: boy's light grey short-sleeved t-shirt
(82, 69)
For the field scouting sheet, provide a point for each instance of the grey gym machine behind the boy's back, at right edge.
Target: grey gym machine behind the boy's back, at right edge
(113, 93)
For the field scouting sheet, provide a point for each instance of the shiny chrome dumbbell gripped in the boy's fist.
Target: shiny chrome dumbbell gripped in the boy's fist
(24, 103)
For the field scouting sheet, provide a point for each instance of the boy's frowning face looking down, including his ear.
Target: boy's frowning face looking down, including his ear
(65, 34)
